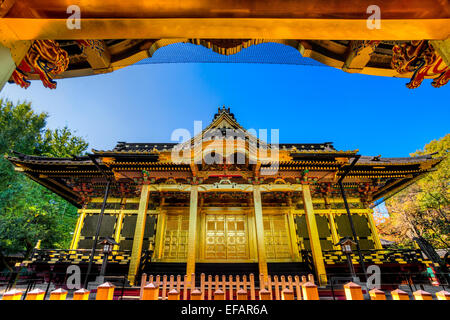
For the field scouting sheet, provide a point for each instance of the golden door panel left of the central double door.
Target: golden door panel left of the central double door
(175, 238)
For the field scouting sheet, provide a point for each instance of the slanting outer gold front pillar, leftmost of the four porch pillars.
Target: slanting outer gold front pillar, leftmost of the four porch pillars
(139, 234)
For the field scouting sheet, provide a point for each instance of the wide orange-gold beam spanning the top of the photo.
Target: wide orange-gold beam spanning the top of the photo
(225, 28)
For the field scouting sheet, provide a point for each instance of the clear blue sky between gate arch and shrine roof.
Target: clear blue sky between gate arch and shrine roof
(145, 103)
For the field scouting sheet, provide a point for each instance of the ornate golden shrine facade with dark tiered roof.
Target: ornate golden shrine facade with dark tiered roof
(219, 204)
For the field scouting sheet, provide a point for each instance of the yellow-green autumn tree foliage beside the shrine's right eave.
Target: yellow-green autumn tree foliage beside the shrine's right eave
(423, 209)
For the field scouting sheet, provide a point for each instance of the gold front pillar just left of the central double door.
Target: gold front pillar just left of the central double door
(192, 241)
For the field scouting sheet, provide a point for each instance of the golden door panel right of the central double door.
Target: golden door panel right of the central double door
(276, 237)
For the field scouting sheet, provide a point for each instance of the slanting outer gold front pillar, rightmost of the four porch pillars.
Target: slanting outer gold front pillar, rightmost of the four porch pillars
(314, 235)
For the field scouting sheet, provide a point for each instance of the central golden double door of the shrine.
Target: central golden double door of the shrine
(226, 237)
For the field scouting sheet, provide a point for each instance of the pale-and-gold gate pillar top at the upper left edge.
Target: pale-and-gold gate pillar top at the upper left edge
(11, 56)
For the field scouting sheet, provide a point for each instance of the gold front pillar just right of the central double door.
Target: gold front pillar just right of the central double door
(259, 224)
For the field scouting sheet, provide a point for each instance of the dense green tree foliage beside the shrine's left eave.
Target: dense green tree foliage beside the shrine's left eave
(28, 211)
